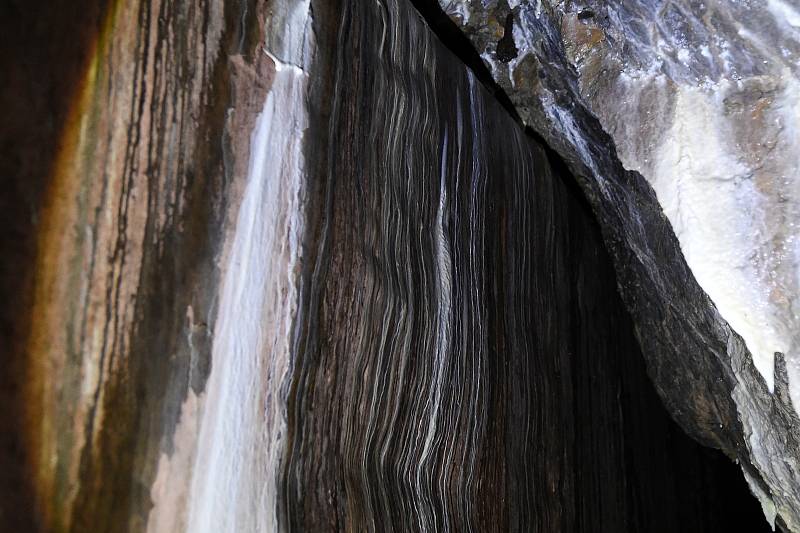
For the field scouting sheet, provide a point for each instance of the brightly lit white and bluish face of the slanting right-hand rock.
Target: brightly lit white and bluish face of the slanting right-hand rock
(702, 100)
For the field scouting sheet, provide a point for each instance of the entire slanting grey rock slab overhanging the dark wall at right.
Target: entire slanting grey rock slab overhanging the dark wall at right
(699, 99)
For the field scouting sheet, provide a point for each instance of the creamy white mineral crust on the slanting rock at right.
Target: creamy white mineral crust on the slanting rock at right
(735, 214)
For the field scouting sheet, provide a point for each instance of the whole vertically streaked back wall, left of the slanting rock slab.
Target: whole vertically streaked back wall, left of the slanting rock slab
(292, 267)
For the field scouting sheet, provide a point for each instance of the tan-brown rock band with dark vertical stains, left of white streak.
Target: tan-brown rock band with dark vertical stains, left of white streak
(128, 235)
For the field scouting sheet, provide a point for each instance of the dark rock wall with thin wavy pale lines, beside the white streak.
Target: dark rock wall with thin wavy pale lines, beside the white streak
(462, 357)
